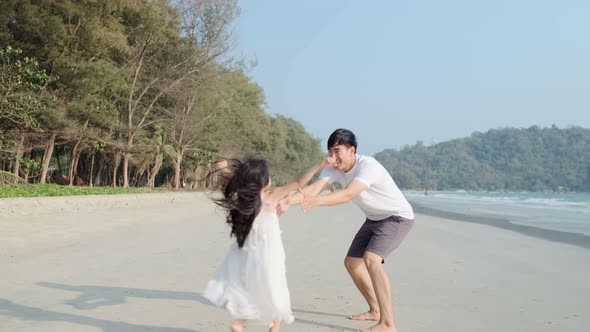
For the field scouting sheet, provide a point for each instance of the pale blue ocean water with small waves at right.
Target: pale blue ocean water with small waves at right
(567, 212)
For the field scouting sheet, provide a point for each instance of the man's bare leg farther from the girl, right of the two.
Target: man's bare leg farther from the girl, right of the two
(382, 288)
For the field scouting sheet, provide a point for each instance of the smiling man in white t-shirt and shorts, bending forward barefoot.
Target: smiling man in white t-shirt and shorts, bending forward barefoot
(389, 217)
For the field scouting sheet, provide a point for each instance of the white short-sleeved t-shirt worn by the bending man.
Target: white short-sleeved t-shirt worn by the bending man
(382, 198)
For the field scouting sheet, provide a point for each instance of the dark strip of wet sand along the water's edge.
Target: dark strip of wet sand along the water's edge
(577, 239)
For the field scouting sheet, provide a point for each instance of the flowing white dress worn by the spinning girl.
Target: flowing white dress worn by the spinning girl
(252, 281)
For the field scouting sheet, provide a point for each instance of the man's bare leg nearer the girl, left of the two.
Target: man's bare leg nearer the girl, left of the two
(359, 274)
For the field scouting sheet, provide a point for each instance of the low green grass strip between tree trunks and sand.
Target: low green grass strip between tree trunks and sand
(40, 190)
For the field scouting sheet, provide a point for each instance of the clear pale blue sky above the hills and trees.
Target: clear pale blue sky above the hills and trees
(399, 71)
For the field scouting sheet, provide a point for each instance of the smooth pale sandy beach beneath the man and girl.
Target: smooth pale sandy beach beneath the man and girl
(139, 263)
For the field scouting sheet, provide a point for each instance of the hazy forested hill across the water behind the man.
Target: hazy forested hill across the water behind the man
(533, 159)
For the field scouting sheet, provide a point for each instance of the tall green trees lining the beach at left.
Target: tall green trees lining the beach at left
(132, 93)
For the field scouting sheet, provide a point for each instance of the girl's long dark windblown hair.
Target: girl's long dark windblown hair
(241, 183)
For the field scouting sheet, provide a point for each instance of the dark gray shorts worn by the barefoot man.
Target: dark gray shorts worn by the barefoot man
(380, 236)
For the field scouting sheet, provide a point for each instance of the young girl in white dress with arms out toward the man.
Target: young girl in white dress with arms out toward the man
(251, 282)
